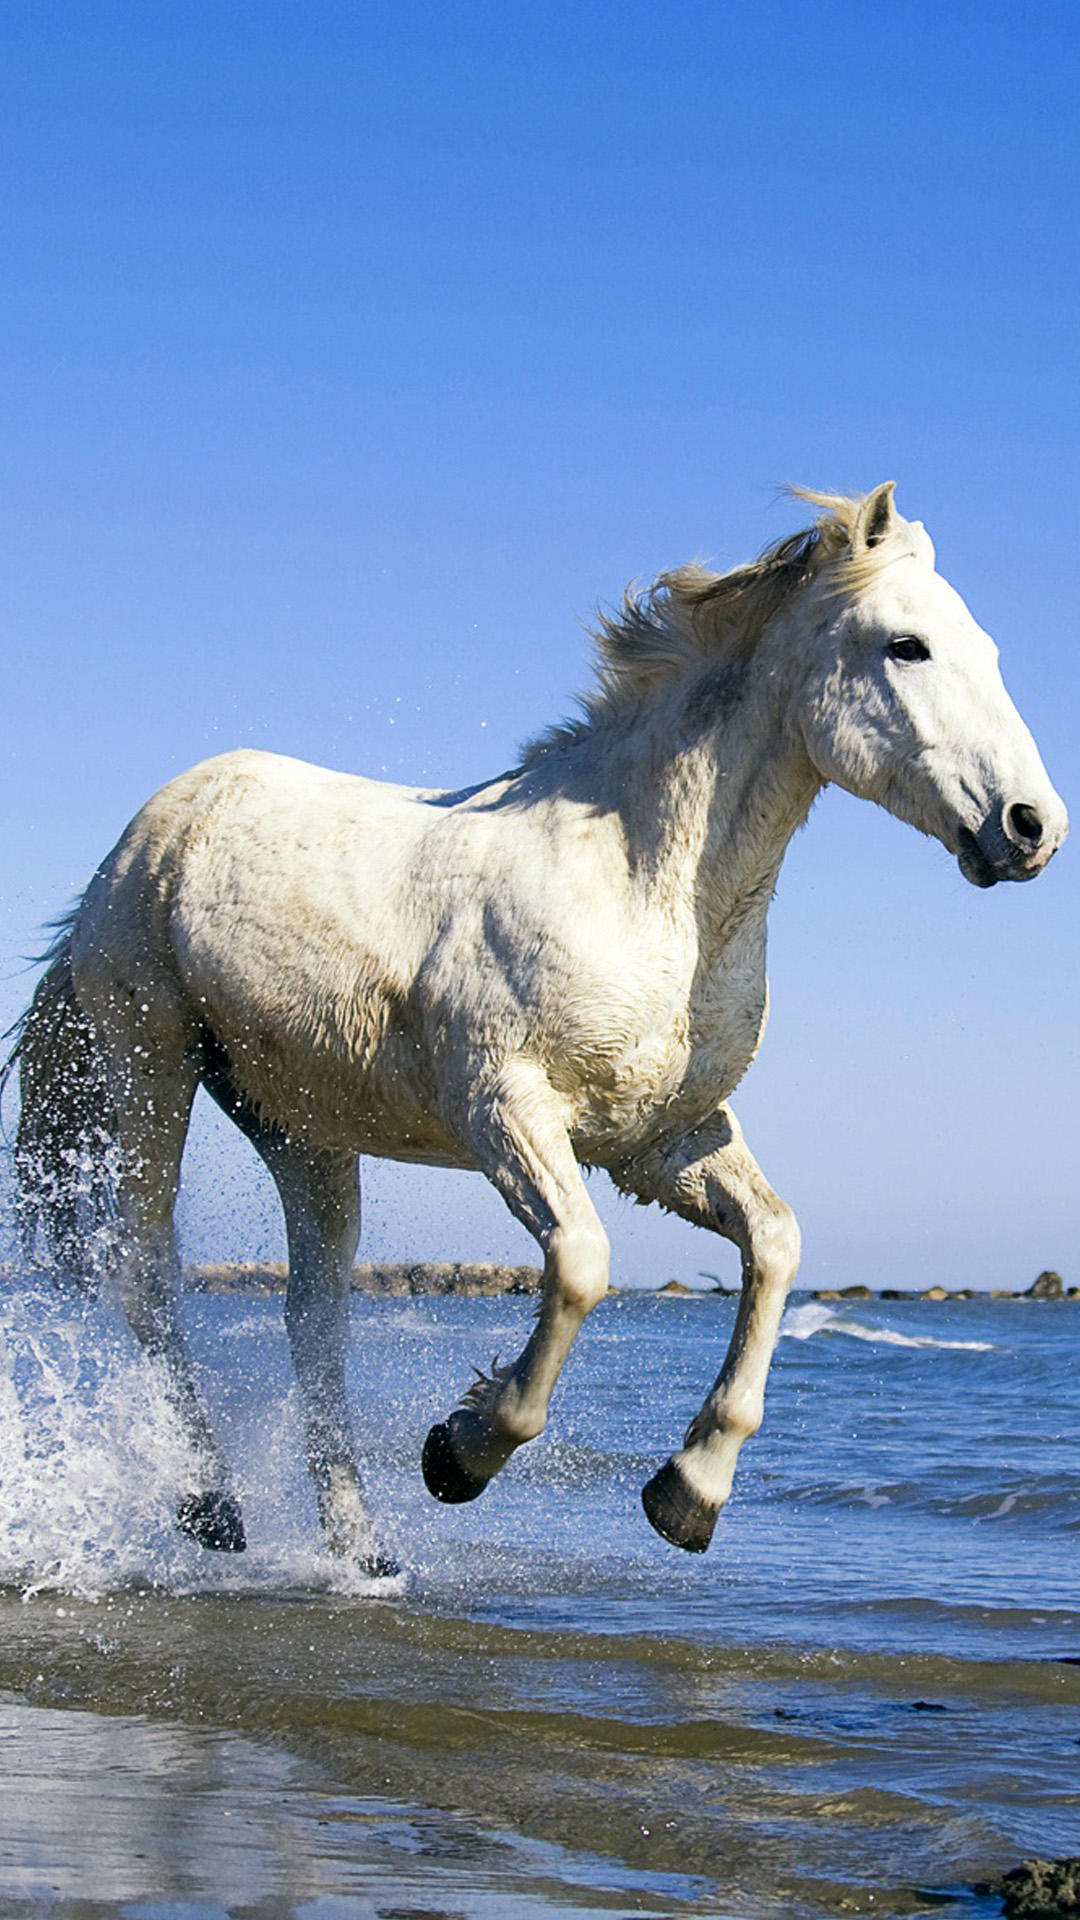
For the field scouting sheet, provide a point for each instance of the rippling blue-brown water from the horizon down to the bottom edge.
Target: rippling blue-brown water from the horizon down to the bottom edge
(864, 1700)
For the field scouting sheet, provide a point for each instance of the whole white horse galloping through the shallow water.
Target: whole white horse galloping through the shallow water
(562, 967)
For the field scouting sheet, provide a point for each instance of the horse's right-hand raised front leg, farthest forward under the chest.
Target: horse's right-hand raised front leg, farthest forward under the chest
(712, 1180)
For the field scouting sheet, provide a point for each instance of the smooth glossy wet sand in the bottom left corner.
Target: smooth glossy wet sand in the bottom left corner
(116, 1815)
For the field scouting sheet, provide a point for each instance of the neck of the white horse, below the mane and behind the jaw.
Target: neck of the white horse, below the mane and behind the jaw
(716, 782)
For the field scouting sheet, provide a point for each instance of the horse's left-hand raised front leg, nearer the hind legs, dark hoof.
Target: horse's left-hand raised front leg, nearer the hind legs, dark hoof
(520, 1138)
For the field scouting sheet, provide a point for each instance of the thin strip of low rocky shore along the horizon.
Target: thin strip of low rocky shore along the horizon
(478, 1280)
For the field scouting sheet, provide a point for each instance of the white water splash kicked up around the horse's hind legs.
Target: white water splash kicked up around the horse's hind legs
(95, 1464)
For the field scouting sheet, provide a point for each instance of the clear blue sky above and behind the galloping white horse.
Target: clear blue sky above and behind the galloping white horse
(353, 354)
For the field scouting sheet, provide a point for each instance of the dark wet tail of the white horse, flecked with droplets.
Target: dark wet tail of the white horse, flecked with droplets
(66, 1120)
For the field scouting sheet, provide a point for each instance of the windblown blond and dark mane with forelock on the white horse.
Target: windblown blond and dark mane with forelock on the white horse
(693, 617)
